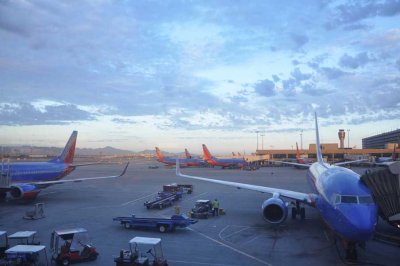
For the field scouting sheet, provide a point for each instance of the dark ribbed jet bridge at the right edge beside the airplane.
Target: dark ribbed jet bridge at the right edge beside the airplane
(385, 186)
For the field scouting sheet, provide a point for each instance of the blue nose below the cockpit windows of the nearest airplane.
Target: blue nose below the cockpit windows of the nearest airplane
(361, 221)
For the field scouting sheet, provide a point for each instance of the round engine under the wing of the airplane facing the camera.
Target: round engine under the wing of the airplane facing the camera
(275, 210)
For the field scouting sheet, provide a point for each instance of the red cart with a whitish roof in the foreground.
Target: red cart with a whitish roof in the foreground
(75, 247)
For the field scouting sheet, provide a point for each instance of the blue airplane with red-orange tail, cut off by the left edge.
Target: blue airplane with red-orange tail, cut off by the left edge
(26, 180)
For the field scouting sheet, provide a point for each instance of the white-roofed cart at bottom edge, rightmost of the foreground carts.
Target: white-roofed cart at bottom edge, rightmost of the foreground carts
(135, 256)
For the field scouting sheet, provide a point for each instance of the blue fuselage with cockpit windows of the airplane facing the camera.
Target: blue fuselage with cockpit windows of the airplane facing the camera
(344, 202)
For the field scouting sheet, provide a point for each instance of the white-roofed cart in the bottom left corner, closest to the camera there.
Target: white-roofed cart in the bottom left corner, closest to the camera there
(26, 255)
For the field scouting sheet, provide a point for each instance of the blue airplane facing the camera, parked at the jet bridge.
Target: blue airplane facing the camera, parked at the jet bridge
(344, 203)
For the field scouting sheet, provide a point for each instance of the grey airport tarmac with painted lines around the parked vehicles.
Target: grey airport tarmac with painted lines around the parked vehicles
(241, 237)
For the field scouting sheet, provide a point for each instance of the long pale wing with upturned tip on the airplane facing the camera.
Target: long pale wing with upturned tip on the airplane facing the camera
(303, 197)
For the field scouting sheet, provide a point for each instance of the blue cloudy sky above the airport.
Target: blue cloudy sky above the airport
(176, 74)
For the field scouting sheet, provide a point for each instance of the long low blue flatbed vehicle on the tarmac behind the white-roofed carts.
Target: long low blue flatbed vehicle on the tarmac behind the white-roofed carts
(161, 224)
